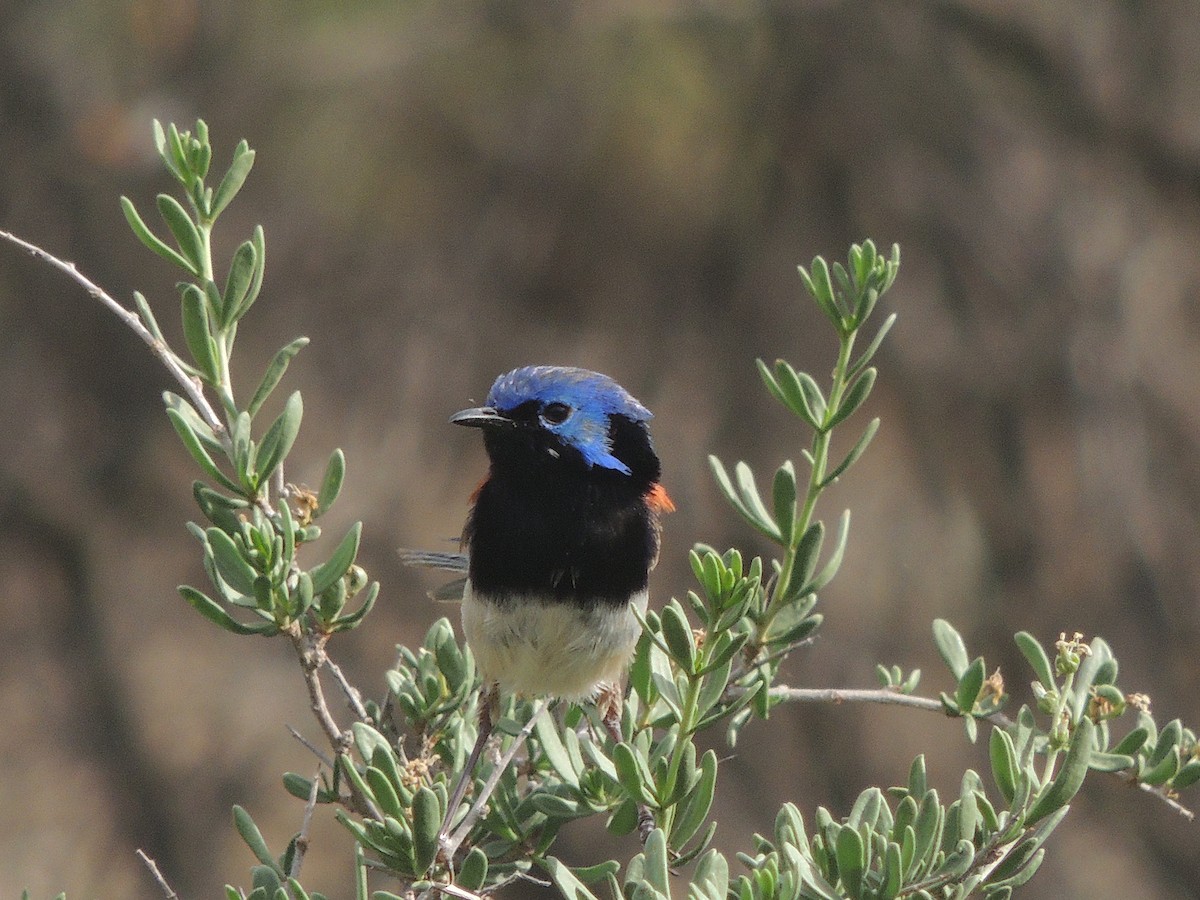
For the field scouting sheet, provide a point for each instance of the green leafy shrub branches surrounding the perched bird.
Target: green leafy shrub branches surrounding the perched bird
(711, 661)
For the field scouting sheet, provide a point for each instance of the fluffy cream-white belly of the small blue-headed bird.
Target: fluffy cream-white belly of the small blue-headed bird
(554, 650)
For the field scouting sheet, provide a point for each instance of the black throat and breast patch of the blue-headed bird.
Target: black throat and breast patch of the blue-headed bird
(551, 527)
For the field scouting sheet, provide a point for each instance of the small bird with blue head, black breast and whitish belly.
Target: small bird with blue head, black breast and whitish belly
(560, 541)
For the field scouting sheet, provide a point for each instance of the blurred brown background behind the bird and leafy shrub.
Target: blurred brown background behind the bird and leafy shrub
(453, 190)
